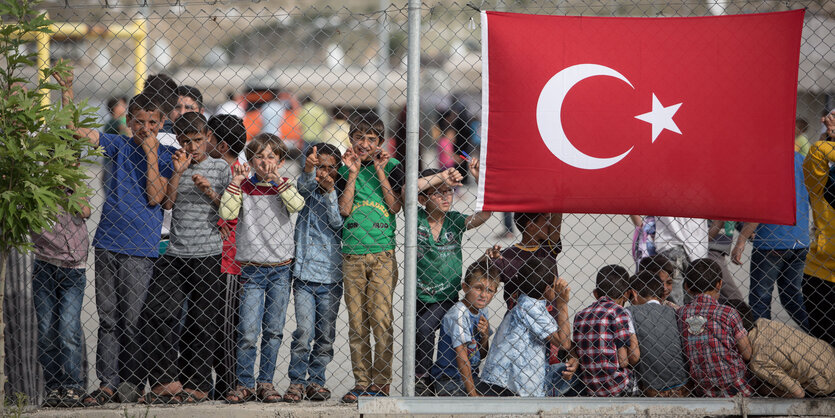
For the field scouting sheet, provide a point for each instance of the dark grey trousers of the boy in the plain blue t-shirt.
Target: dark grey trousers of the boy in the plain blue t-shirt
(121, 287)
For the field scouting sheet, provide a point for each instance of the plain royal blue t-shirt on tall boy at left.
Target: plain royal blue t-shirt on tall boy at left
(128, 224)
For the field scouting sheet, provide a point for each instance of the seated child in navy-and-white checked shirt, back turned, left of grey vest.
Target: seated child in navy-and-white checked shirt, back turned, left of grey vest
(605, 344)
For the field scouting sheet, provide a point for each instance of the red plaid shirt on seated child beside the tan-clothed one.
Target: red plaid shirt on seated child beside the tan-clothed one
(709, 332)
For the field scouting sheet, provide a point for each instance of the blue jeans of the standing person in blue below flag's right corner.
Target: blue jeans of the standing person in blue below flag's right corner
(785, 267)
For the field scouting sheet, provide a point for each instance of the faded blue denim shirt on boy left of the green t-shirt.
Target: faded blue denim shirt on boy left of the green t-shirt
(318, 234)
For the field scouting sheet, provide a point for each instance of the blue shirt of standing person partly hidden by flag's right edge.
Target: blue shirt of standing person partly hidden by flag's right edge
(782, 237)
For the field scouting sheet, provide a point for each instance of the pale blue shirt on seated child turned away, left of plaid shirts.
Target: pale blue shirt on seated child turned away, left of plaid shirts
(518, 356)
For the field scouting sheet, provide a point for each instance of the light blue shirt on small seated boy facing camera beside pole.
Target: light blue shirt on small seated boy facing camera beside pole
(458, 327)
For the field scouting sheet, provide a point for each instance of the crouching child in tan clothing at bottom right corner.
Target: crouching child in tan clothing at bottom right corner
(790, 362)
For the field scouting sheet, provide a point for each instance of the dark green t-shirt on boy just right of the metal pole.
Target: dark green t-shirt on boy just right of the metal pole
(440, 262)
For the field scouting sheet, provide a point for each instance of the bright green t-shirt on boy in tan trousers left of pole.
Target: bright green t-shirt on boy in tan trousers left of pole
(370, 227)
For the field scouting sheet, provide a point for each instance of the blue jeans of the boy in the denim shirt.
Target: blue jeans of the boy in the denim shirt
(317, 306)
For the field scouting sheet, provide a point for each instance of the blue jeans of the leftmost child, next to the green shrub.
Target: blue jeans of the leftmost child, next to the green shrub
(58, 293)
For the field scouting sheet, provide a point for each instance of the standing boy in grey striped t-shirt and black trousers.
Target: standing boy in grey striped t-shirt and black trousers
(189, 270)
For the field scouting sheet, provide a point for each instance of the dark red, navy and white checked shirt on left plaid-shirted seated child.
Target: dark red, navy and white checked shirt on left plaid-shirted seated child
(599, 331)
